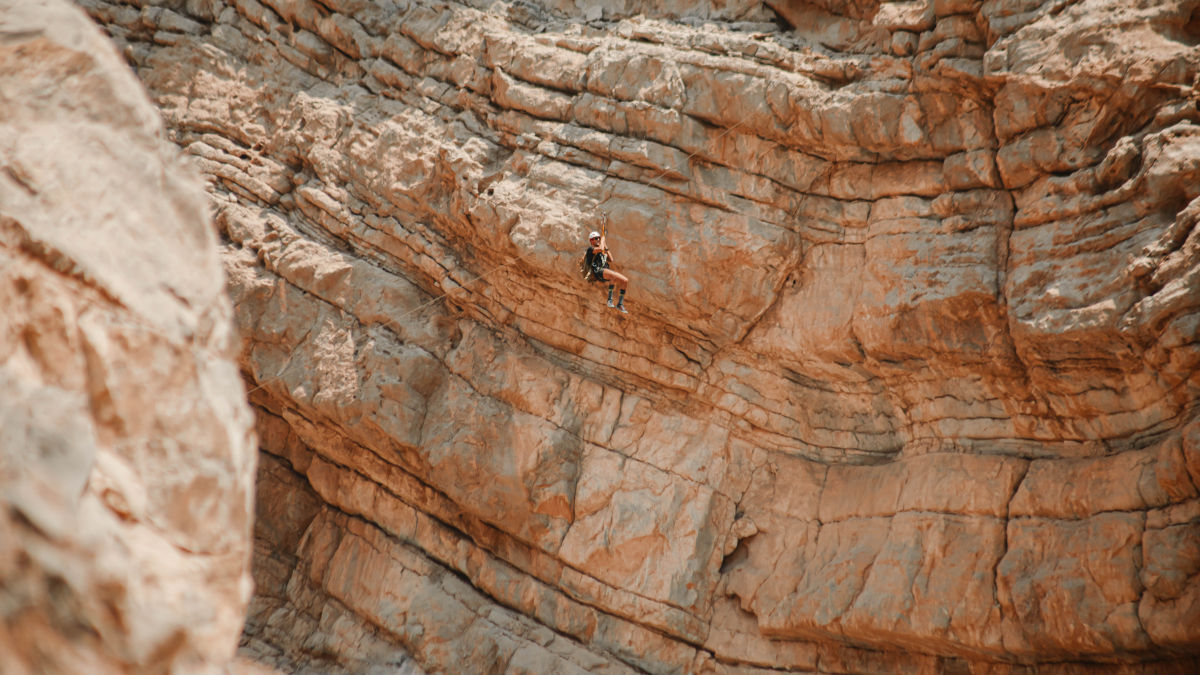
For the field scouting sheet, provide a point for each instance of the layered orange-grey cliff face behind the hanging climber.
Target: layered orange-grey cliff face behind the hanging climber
(910, 377)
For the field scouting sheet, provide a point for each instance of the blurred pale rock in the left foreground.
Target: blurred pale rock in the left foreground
(127, 446)
